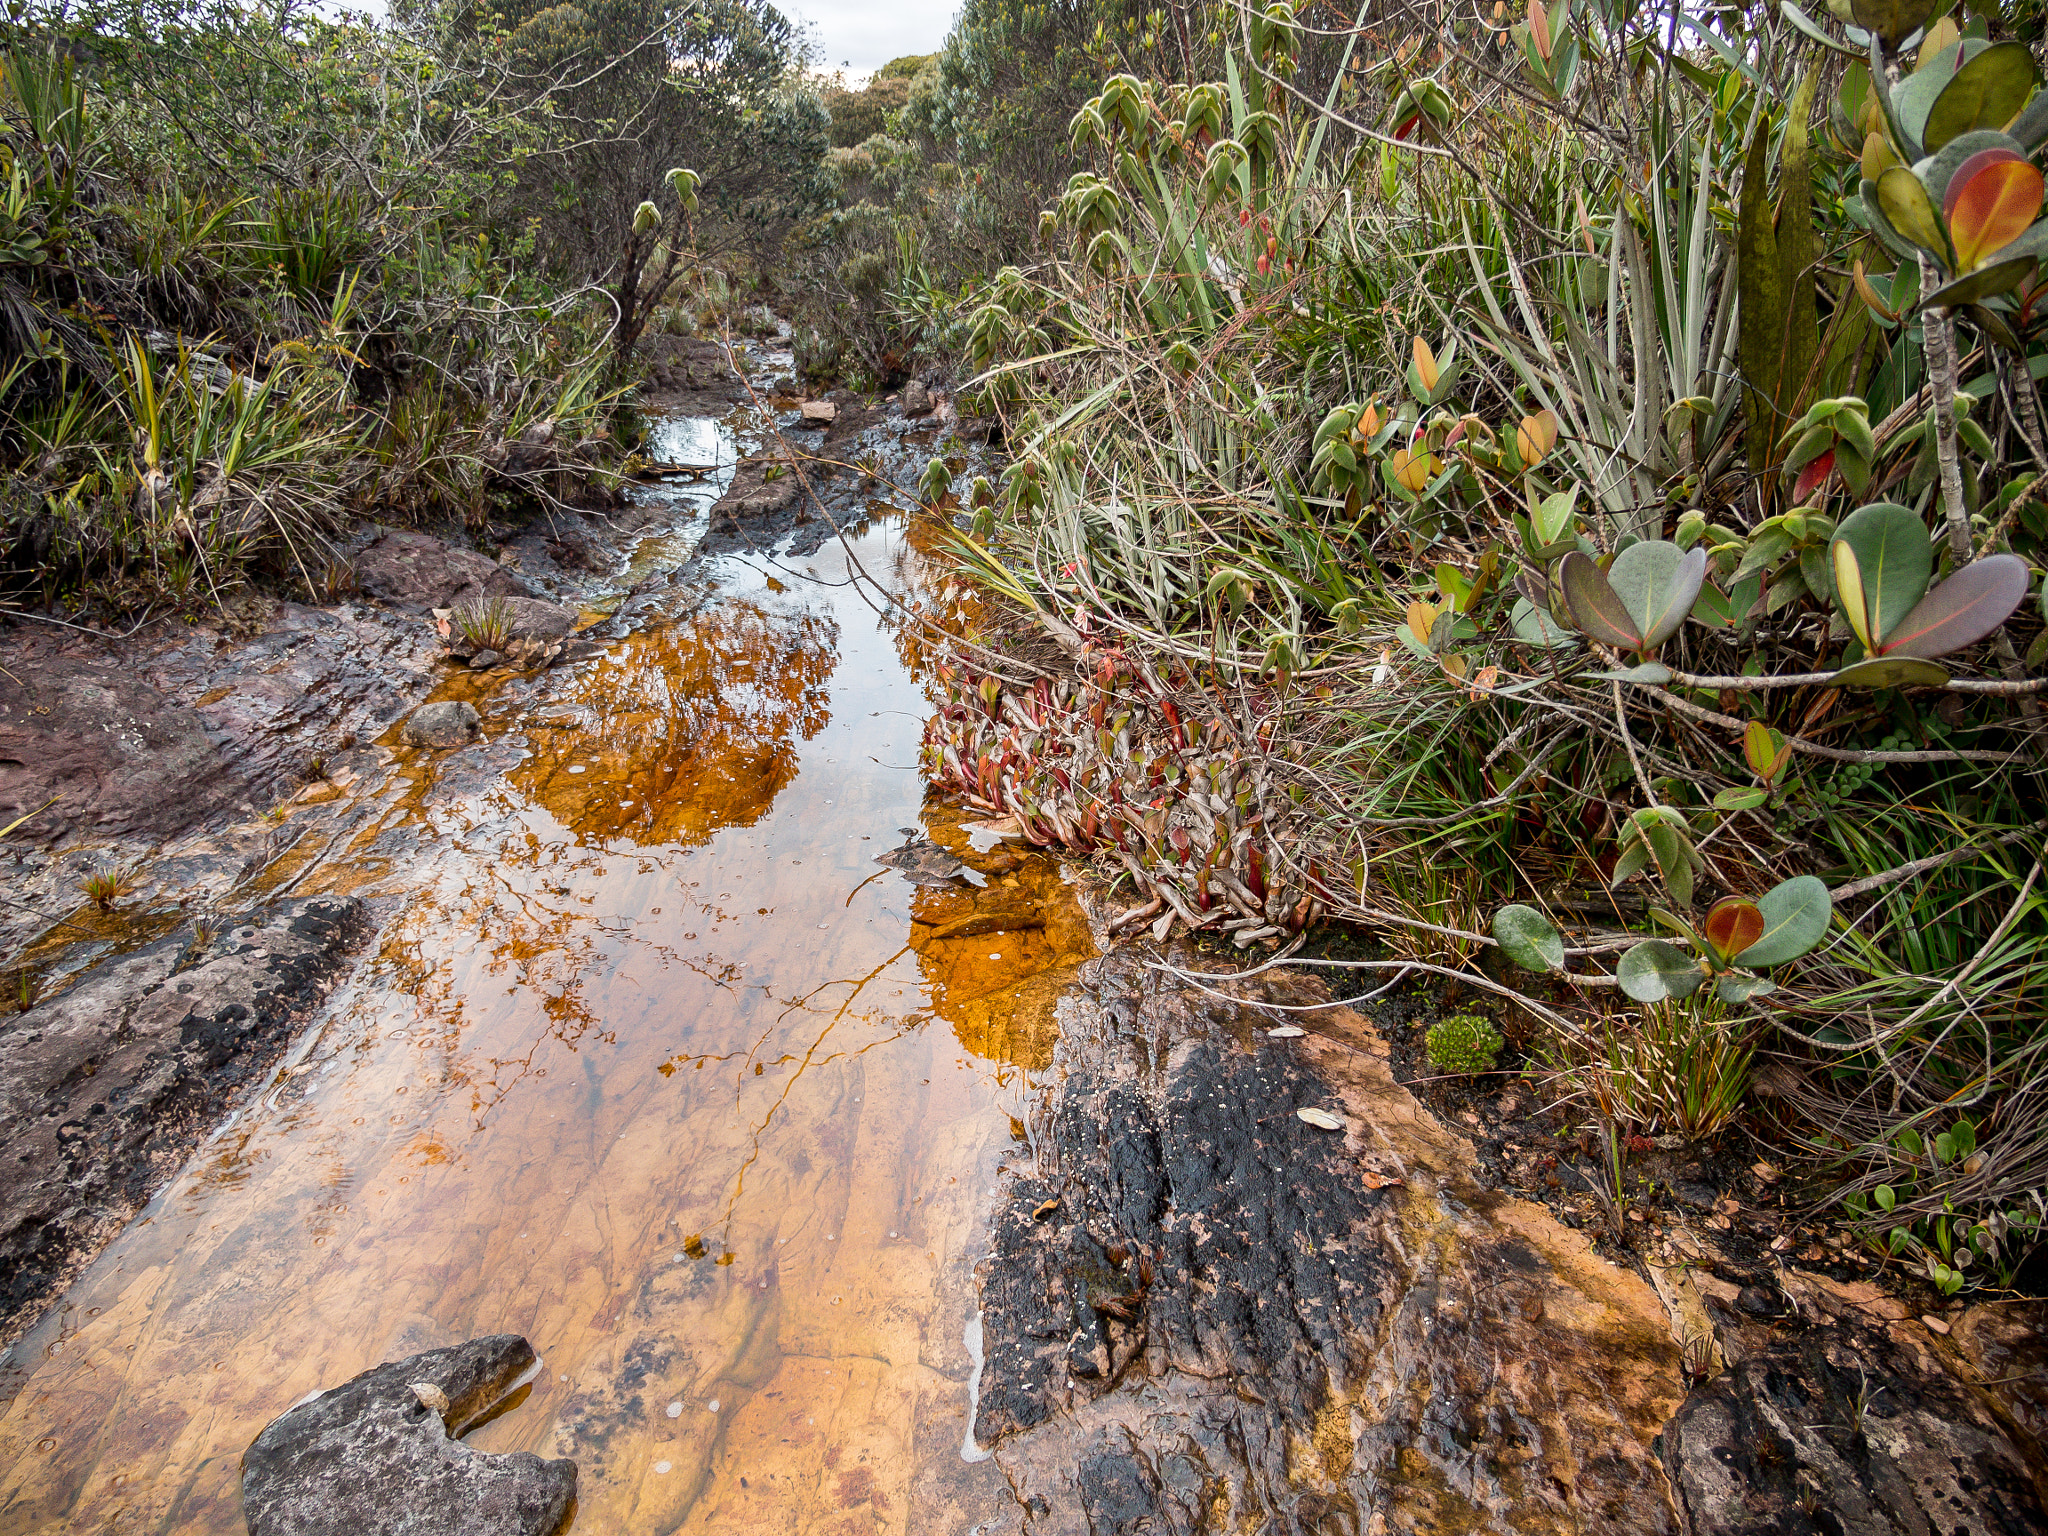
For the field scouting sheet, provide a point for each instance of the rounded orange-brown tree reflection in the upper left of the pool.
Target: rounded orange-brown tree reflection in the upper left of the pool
(687, 730)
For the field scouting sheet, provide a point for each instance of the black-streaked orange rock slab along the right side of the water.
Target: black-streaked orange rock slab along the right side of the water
(1236, 1320)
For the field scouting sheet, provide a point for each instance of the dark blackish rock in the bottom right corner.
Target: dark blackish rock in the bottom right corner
(1848, 1431)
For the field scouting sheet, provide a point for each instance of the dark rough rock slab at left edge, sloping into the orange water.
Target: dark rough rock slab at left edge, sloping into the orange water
(110, 1086)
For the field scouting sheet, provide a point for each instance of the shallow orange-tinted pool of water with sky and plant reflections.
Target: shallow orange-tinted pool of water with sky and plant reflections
(642, 1066)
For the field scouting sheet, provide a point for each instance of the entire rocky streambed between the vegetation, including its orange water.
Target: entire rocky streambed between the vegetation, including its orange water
(654, 1050)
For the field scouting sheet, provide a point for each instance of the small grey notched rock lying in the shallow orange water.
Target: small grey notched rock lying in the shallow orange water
(374, 1457)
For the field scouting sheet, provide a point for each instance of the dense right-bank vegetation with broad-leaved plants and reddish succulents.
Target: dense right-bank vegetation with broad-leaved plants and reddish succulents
(1560, 488)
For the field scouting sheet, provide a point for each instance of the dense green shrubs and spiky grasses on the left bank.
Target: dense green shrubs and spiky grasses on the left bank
(267, 271)
